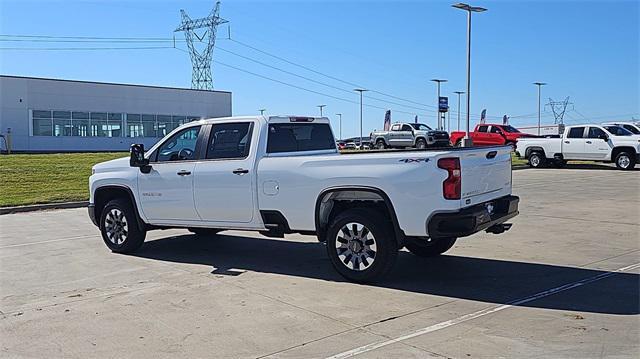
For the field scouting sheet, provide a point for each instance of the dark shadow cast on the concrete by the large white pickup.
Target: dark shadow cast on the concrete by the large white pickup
(479, 279)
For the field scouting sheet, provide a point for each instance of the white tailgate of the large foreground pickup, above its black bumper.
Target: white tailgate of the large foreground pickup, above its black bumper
(486, 174)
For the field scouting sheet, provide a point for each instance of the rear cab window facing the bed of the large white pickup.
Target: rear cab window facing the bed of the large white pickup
(293, 137)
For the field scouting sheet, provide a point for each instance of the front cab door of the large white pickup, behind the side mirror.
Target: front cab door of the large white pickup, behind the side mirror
(166, 193)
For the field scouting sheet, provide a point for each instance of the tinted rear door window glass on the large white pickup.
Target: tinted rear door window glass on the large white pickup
(229, 140)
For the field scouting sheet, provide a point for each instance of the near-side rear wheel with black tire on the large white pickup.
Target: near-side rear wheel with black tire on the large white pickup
(379, 239)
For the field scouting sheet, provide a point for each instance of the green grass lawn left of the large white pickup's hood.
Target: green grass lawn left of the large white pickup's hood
(48, 178)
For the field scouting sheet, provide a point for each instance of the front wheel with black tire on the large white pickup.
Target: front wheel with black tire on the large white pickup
(119, 227)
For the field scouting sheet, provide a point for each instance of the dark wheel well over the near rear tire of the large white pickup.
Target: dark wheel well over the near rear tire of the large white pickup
(333, 201)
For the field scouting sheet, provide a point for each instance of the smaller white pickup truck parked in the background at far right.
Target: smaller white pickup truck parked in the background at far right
(605, 143)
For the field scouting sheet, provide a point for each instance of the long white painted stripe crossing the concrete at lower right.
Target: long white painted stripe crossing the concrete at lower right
(481, 313)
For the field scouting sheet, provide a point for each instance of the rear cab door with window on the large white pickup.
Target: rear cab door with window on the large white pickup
(224, 178)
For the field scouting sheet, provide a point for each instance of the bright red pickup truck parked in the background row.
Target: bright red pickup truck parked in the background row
(489, 135)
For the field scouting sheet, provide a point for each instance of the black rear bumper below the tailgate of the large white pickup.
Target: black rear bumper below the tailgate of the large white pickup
(473, 219)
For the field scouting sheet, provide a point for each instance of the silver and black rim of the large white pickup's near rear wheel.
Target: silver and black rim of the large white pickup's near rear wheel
(356, 246)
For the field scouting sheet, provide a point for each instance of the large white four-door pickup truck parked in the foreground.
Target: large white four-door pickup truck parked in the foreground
(279, 175)
